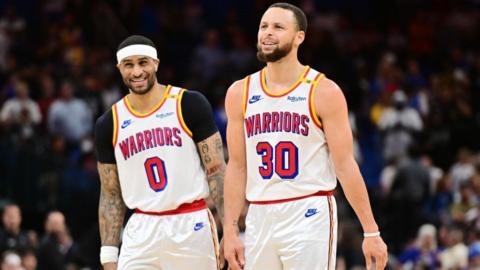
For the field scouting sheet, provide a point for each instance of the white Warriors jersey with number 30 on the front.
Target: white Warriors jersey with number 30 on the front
(287, 154)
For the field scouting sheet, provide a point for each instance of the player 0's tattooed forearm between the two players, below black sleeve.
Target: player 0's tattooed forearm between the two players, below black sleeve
(211, 153)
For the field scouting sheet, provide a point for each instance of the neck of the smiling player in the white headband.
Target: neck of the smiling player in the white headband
(145, 103)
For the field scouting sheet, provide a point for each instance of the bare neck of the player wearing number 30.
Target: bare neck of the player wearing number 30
(283, 73)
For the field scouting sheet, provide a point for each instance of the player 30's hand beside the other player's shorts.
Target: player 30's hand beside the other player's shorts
(234, 250)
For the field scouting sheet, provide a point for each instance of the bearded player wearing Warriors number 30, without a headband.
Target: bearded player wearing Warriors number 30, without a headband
(288, 142)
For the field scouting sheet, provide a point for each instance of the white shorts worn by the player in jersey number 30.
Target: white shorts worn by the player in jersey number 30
(293, 235)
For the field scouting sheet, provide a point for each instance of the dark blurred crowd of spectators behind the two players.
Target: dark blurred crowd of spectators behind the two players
(410, 71)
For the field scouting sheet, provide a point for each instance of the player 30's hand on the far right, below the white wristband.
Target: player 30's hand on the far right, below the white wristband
(376, 248)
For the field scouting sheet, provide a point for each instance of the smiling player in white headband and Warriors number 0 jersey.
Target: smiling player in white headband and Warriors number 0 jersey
(159, 153)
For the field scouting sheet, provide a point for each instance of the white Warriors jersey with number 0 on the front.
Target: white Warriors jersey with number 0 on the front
(157, 160)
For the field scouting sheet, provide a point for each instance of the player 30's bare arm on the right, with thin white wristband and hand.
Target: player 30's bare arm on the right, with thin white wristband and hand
(331, 107)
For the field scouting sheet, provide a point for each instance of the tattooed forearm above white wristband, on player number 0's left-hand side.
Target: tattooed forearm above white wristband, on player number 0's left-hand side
(111, 208)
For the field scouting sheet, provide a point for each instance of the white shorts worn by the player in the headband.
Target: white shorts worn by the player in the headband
(170, 242)
